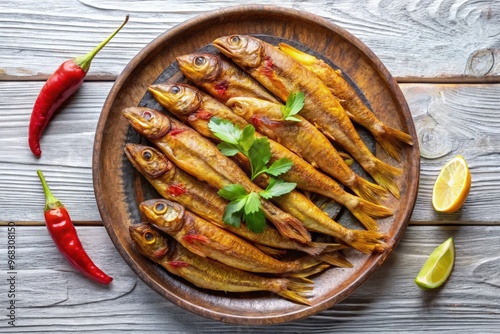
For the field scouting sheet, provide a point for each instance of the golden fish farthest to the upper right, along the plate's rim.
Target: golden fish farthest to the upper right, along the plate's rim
(389, 138)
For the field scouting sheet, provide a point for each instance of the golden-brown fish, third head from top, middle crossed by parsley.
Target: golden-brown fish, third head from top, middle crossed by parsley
(187, 103)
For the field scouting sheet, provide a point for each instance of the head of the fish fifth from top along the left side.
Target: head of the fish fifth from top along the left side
(147, 160)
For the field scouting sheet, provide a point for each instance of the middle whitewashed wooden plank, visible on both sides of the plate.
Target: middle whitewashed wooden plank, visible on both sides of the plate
(450, 120)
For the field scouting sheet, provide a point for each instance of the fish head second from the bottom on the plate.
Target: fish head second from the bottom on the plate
(163, 214)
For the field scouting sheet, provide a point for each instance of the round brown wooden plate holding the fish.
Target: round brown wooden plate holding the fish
(117, 186)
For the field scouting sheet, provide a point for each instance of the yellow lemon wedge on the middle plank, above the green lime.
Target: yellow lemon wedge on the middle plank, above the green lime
(452, 186)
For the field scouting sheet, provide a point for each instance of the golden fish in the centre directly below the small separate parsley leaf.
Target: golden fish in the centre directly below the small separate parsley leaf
(304, 139)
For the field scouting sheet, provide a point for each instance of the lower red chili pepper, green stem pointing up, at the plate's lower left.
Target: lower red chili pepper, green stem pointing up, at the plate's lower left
(64, 234)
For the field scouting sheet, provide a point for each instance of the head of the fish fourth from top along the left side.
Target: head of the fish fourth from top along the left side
(150, 123)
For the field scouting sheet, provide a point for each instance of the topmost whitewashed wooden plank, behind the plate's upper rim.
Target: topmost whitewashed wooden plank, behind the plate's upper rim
(447, 40)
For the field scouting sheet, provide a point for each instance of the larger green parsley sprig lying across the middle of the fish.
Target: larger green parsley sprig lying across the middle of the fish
(246, 206)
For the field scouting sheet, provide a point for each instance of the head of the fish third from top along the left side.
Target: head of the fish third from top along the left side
(180, 99)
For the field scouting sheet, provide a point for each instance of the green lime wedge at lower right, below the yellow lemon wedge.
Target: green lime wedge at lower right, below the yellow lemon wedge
(437, 268)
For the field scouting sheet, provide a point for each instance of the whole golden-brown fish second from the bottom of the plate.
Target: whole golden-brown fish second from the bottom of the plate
(208, 240)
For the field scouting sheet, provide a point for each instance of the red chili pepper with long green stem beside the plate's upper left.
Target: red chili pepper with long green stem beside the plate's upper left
(59, 87)
